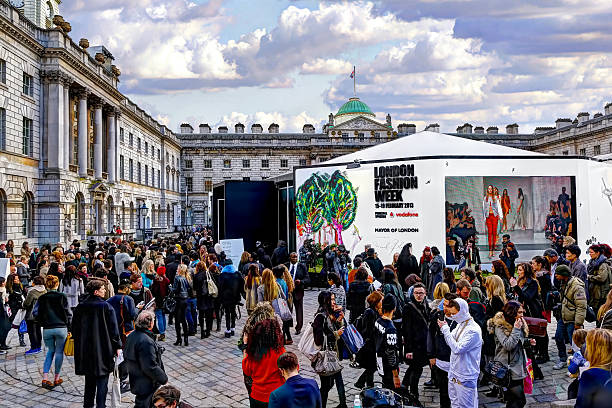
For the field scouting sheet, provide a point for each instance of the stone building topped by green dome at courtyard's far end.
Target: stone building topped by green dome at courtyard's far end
(209, 158)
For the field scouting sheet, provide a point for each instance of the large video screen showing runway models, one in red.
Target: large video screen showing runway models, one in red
(481, 210)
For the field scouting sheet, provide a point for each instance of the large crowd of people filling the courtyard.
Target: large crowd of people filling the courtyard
(114, 301)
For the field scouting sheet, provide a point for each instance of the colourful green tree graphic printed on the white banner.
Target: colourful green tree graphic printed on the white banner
(325, 205)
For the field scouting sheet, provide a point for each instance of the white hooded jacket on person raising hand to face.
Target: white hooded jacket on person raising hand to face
(465, 343)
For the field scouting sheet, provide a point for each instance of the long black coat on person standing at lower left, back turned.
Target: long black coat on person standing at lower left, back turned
(96, 337)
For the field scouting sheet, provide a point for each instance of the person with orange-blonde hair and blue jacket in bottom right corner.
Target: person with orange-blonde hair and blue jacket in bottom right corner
(595, 386)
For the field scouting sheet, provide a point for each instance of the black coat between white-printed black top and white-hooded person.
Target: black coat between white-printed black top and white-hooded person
(415, 322)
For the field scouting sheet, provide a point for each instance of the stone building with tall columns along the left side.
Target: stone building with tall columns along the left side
(61, 121)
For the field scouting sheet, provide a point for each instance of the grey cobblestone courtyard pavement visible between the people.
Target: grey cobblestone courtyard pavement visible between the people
(209, 374)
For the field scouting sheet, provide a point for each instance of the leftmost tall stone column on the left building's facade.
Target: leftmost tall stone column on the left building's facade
(55, 119)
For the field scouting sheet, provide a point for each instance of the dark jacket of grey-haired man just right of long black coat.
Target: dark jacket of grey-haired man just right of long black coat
(145, 365)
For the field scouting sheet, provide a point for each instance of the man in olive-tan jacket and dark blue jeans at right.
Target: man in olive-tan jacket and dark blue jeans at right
(573, 310)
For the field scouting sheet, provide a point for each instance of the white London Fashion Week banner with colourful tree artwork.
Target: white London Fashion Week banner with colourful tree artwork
(379, 205)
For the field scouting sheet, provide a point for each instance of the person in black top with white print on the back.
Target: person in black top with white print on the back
(387, 350)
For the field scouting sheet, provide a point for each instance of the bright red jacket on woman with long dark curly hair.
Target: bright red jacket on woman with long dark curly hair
(265, 374)
